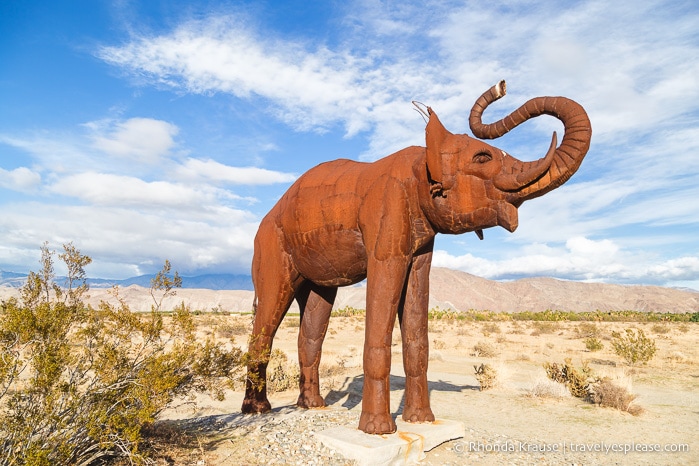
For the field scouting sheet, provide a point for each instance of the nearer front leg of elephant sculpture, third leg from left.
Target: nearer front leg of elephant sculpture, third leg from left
(386, 280)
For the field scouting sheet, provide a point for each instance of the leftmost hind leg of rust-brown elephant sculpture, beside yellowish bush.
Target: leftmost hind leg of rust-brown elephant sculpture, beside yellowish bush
(275, 287)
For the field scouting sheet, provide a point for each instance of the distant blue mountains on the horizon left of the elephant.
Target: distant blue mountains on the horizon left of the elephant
(208, 281)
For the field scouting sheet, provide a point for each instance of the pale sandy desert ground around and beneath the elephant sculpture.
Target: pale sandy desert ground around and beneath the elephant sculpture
(524, 411)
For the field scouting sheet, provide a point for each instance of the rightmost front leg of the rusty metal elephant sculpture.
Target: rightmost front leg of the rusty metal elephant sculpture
(413, 323)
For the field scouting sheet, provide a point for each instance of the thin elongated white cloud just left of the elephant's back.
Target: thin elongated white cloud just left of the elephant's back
(215, 171)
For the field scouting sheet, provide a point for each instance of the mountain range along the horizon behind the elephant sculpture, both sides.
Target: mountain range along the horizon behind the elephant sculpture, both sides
(448, 289)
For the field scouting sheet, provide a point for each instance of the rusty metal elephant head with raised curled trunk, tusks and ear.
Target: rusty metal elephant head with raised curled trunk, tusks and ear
(474, 185)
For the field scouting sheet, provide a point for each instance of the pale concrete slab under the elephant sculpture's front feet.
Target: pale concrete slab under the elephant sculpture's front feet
(406, 446)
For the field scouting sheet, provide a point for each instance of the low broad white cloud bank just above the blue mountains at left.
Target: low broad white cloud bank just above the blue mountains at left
(127, 241)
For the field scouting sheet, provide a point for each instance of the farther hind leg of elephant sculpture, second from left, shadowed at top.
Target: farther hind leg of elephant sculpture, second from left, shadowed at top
(316, 303)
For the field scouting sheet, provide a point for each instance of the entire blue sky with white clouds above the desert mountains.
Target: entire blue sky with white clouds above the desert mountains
(145, 131)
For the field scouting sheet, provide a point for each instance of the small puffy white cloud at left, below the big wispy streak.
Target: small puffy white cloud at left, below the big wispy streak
(142, 139)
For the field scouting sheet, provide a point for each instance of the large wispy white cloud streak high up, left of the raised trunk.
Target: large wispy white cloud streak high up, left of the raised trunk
(218, 55)
